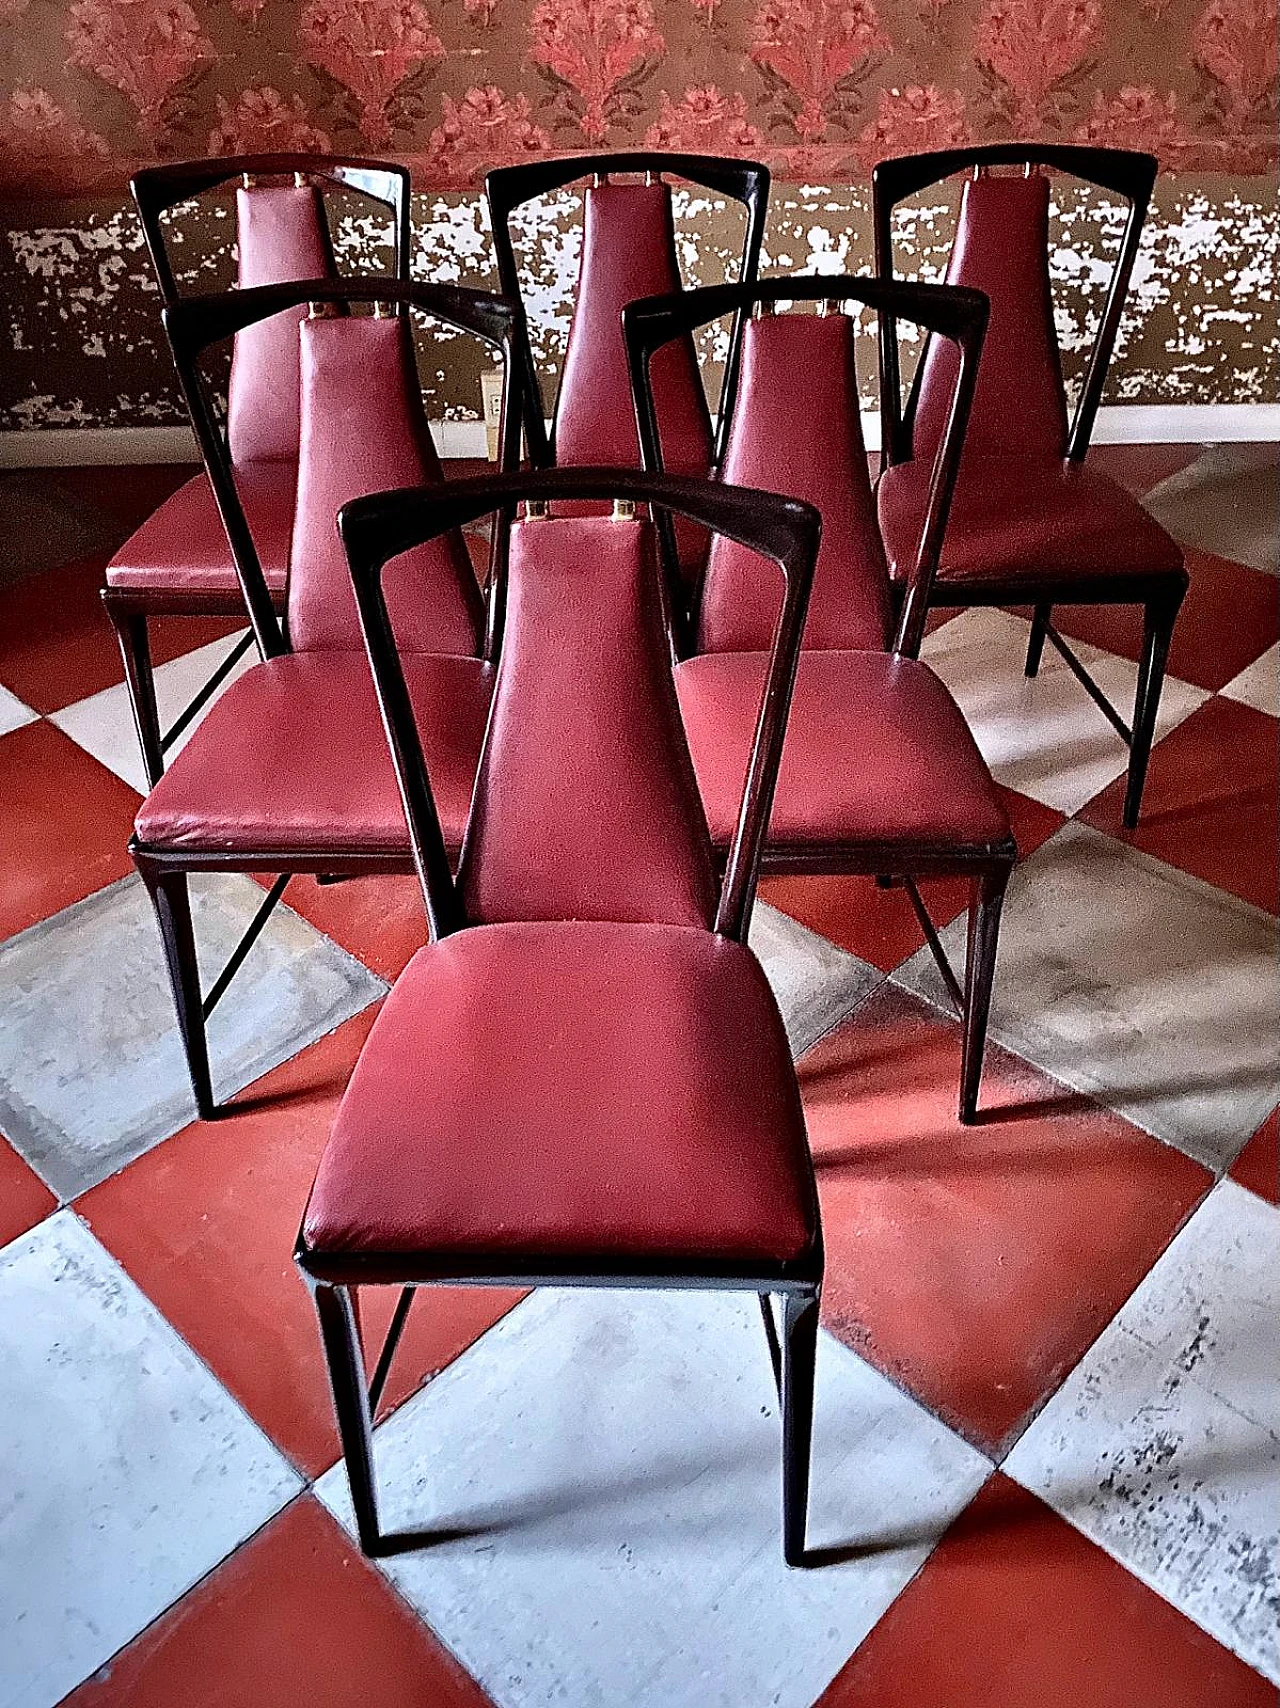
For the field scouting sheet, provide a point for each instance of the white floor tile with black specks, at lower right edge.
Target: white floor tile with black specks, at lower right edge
(1165, 1444)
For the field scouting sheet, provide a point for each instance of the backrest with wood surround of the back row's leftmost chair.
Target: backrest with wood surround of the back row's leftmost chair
(281, 235)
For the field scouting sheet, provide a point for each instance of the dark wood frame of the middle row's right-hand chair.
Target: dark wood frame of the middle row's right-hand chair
(951, 313)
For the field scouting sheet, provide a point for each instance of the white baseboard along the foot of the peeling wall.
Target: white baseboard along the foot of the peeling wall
(1117, 424)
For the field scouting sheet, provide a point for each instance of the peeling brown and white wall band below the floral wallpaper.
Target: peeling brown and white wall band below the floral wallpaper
(88, 349)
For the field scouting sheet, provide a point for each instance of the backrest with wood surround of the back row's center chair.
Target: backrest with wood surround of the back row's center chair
(628, 254)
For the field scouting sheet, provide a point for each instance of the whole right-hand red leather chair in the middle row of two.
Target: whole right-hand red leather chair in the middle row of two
(881, 773)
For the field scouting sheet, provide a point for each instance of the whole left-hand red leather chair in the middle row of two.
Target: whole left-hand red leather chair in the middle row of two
(290, 769)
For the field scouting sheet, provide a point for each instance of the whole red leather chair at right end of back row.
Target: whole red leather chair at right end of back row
(1031, 522)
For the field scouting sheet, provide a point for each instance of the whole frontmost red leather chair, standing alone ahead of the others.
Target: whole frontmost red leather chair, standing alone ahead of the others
(584, 1079)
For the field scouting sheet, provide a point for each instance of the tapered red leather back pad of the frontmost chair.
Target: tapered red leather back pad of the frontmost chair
(587, 805)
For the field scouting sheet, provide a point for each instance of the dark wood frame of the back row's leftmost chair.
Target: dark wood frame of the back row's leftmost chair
(156, 190)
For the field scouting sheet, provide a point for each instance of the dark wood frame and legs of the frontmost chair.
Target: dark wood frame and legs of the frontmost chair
(377, 530)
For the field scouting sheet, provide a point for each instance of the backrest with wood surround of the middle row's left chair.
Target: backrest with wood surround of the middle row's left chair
(363, 426)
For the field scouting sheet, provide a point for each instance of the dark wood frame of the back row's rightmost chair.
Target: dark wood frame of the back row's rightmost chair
(1130, 177)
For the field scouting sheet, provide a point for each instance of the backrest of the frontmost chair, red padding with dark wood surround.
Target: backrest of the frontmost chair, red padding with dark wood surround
(585, 735)
